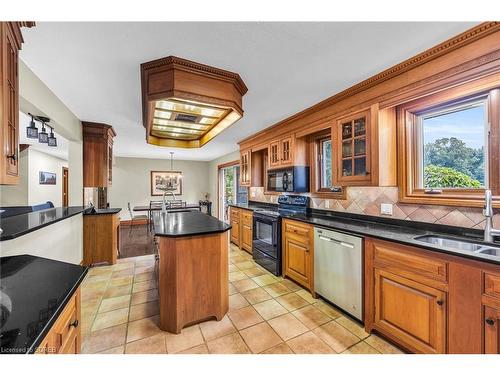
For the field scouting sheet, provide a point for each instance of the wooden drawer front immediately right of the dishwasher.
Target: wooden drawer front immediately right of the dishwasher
(395, 258)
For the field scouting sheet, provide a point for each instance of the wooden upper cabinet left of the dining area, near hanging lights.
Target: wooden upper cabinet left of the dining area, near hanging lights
(97, 154)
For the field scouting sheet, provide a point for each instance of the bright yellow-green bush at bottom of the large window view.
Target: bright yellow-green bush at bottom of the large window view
(443, 177)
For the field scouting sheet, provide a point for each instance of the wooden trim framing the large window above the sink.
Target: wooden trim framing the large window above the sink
(407, 148)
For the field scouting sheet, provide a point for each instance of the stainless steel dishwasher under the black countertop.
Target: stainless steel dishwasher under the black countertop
(338, 270)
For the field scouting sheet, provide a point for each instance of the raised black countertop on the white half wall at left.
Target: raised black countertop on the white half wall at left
(16, 226)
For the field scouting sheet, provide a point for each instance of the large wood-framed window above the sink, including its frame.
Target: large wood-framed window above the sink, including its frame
(449, 148)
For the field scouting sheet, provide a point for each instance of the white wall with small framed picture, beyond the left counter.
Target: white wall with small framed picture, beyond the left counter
(42, 162)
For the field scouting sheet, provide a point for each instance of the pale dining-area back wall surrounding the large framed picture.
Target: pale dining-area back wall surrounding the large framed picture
(131, 181)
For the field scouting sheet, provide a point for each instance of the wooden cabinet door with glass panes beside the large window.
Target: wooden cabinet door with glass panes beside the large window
(352, 136)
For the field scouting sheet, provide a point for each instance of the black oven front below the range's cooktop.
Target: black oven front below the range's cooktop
(267, 242)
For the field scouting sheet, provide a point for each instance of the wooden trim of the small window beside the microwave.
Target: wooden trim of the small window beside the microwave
(315, 169)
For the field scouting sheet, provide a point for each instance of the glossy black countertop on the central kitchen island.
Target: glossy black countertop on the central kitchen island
(181, 224)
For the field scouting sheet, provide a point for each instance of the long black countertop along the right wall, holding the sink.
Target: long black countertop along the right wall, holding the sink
(401, 231)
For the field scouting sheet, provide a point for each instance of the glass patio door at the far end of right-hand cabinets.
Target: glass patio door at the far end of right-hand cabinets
(229, 189)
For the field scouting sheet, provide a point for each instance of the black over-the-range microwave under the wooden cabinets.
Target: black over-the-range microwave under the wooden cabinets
(288, 180)
